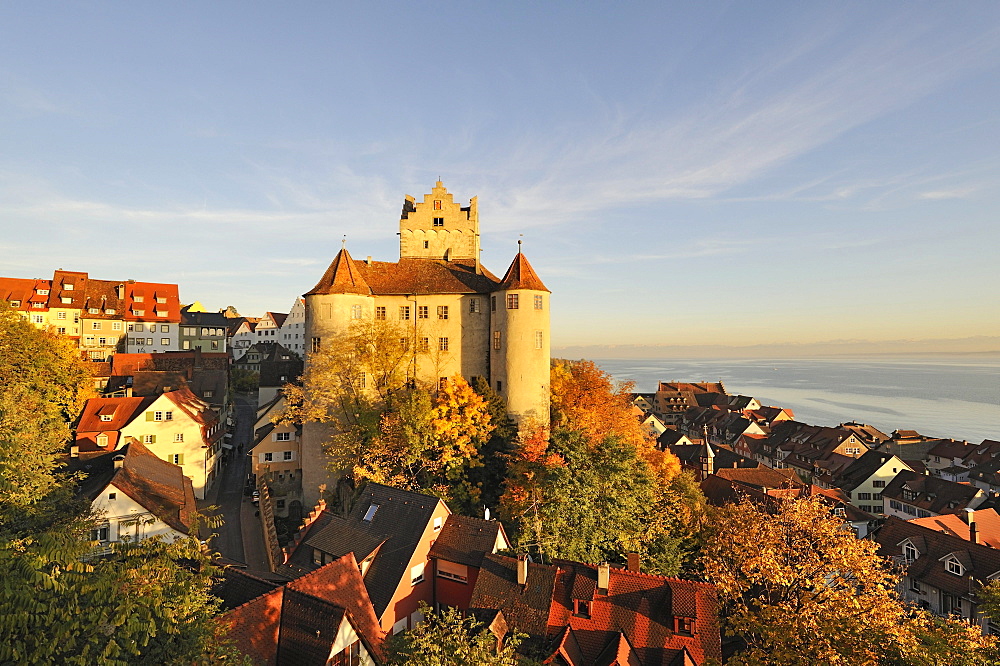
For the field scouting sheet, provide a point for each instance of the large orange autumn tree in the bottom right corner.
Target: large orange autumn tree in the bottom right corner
(799, 587)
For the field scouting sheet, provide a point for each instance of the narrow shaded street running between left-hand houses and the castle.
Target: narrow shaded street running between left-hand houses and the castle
(229, 493)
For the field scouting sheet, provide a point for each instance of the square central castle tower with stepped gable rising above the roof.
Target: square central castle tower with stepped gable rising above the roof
(439, 228)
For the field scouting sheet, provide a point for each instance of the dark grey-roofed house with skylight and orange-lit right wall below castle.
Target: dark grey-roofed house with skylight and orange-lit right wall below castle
(390, 533)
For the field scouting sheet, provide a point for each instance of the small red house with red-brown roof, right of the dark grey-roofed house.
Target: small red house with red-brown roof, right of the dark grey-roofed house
(457, 556)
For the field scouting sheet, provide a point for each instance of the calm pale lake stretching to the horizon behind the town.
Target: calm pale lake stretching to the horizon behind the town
(956, 397)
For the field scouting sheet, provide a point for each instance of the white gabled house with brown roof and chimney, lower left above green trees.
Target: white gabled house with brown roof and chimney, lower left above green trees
(136, 494)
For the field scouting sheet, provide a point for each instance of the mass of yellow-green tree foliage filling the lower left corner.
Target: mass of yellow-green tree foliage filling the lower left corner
(145, 602)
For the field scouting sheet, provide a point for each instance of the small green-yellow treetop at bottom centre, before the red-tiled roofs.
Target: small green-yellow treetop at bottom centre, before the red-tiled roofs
(448, 639)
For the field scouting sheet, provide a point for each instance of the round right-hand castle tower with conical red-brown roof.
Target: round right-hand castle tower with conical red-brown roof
(519, 344)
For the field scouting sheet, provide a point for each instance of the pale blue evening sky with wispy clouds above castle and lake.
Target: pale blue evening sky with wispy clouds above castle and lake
(739, 173)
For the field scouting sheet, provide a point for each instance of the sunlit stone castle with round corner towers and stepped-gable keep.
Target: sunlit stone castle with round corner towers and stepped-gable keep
(465, 320)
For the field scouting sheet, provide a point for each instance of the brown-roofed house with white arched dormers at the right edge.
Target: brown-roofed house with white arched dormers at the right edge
(941, 571)
